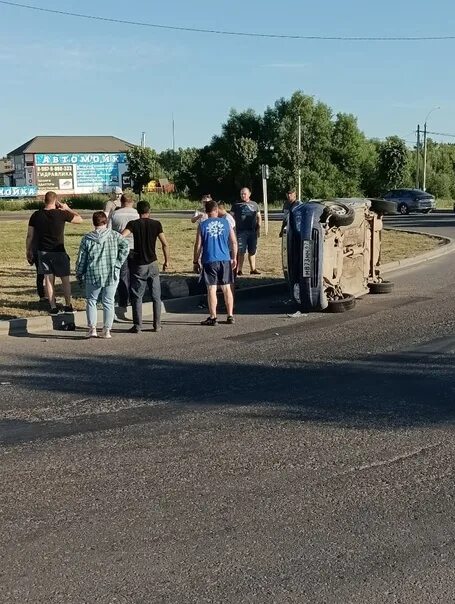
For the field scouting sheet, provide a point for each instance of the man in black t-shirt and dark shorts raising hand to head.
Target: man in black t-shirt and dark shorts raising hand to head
(46, 230)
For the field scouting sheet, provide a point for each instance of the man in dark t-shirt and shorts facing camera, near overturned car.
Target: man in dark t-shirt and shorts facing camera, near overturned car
(247, 227)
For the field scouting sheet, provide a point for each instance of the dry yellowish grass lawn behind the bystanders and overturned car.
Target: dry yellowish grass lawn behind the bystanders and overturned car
(17, 278)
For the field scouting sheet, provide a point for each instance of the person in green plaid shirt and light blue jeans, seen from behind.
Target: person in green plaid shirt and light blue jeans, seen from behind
(101, 254)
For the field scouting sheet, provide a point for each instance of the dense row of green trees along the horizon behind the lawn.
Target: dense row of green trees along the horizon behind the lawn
(336, 158)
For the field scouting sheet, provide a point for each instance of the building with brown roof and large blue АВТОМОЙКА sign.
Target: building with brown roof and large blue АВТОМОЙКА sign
(70, 164)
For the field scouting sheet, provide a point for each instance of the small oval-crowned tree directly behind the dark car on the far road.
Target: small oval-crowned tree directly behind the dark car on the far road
(393, 163)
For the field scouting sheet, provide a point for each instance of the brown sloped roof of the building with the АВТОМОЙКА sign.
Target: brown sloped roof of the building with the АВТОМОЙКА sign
(72, 144)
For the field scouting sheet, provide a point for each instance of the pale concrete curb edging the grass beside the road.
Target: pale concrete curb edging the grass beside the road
(24, 326)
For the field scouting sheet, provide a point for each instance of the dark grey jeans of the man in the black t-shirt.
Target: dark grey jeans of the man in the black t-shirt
(143, 276)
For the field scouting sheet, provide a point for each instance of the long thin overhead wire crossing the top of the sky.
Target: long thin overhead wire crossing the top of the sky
(221, 32)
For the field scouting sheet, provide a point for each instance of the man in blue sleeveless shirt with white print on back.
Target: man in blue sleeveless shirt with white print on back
(216, 250)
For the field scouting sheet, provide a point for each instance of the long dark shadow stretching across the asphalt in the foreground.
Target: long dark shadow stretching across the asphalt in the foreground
(381, 392)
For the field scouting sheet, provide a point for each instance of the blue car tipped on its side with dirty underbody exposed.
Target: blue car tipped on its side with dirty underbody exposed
(331, 252)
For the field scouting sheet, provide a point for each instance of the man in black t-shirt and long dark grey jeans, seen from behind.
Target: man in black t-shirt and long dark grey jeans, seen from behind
(144, 269)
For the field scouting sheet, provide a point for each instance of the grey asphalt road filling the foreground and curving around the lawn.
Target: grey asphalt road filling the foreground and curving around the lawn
(306, 460)
